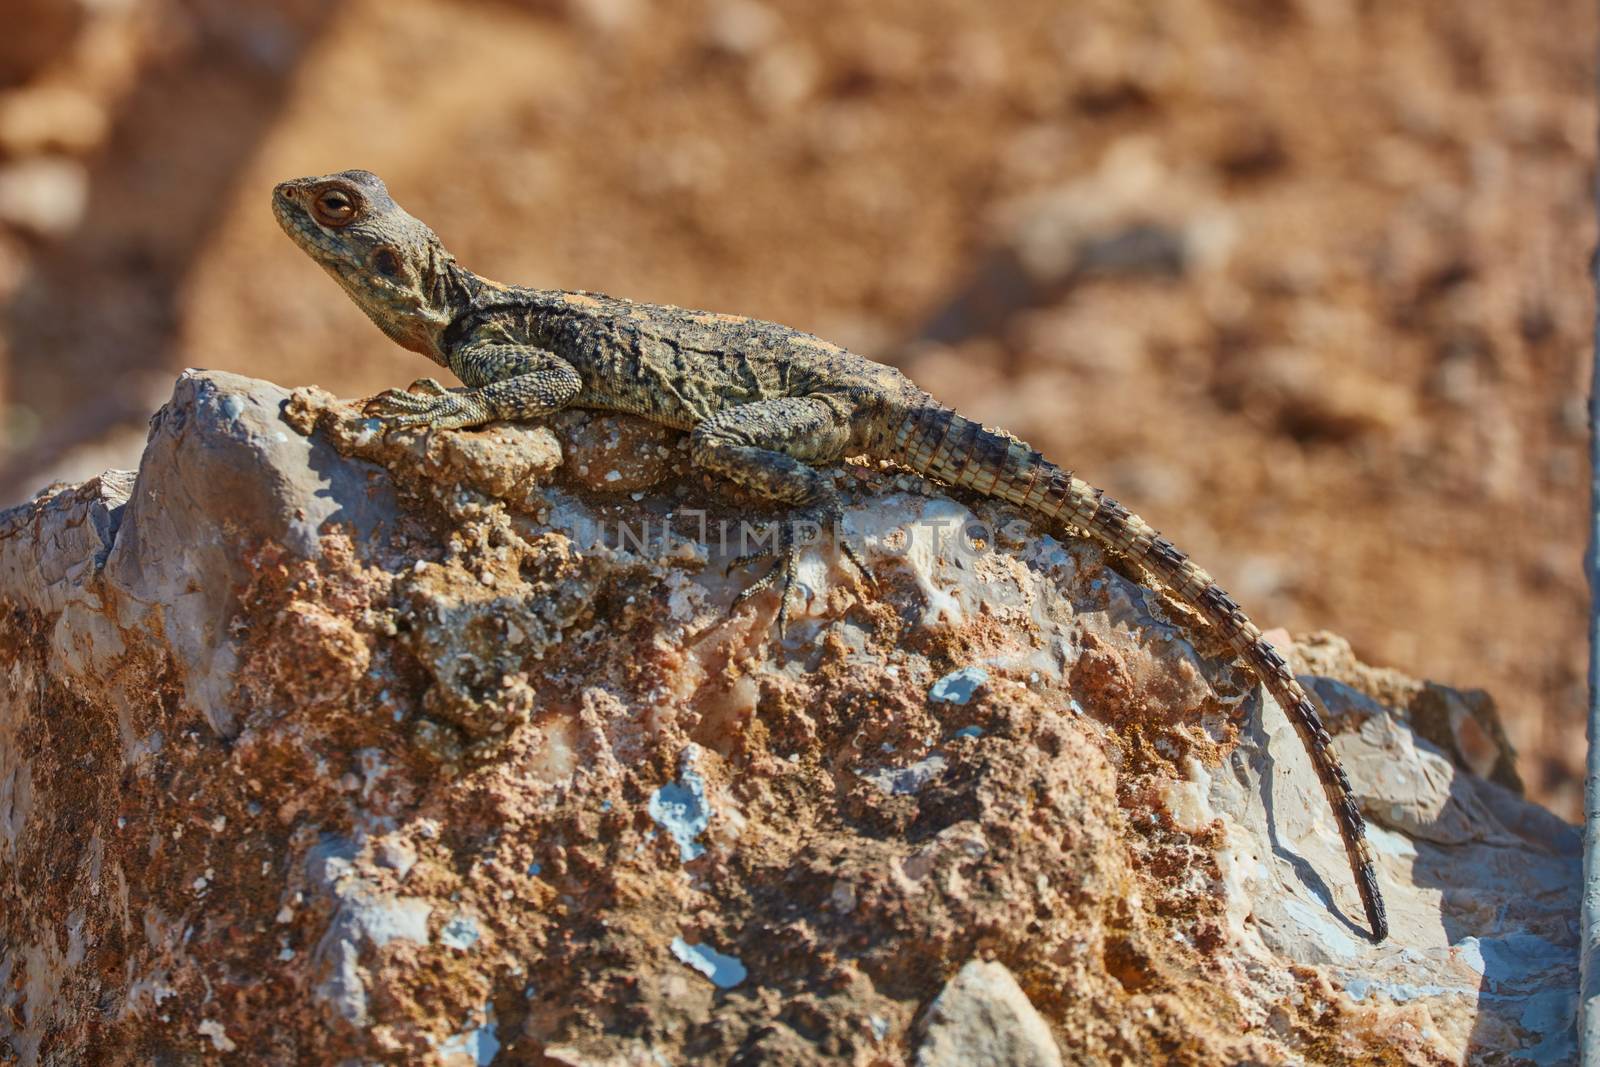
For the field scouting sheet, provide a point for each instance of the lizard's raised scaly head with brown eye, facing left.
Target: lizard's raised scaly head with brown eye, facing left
(391, 265)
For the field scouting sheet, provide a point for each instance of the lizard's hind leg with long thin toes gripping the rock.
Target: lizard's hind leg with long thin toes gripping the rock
(769, 447)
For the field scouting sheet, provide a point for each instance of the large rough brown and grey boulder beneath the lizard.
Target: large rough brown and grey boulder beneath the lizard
(319, 746)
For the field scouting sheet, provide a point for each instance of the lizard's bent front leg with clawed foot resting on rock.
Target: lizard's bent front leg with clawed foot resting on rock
(505, 382)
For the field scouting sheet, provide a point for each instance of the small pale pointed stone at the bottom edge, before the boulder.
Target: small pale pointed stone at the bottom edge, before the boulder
(983, 1017)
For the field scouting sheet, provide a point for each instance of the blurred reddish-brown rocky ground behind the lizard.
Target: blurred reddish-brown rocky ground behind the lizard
(1302, 281)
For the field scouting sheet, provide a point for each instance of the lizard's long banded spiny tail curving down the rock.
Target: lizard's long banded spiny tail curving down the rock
(942, 444)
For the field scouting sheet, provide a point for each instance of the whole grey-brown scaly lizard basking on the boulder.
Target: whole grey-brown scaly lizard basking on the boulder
(764, 406)
